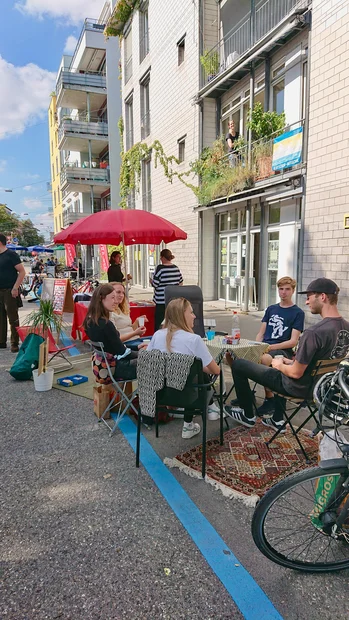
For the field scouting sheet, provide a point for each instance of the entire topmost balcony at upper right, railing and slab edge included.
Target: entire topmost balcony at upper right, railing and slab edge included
(248, 34)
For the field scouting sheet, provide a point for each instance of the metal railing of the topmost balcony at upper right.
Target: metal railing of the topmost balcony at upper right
(240, 38)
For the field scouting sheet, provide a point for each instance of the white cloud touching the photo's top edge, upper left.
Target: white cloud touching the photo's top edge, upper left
(73, 10)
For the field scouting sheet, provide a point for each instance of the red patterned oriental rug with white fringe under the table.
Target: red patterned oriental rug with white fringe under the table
(244, 466)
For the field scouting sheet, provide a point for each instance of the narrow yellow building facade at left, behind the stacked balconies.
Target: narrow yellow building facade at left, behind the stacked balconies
(55, 166)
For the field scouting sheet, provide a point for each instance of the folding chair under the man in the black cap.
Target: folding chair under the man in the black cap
(321, 368)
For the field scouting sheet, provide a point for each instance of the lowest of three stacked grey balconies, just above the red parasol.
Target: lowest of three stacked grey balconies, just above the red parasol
(80, 179)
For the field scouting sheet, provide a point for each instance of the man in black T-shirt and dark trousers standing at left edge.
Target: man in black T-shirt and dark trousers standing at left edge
(12, 274)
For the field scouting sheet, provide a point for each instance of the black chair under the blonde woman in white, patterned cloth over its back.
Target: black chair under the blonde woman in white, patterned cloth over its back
(193, 399)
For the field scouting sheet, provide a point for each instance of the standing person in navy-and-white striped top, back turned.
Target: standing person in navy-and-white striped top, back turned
(165, 274)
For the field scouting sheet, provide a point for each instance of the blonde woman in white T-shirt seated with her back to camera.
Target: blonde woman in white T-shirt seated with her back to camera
(177, 336)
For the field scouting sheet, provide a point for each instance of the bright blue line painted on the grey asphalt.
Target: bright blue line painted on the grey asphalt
(245, 592)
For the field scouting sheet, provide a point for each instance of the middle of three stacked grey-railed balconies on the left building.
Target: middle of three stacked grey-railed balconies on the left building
(74, 135)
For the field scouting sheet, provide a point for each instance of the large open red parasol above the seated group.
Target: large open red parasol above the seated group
(128, 226)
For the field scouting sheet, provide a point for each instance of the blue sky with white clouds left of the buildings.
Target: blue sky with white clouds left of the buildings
(33, 36)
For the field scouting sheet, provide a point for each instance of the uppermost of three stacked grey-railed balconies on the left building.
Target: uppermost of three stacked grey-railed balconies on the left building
(72, 88)
